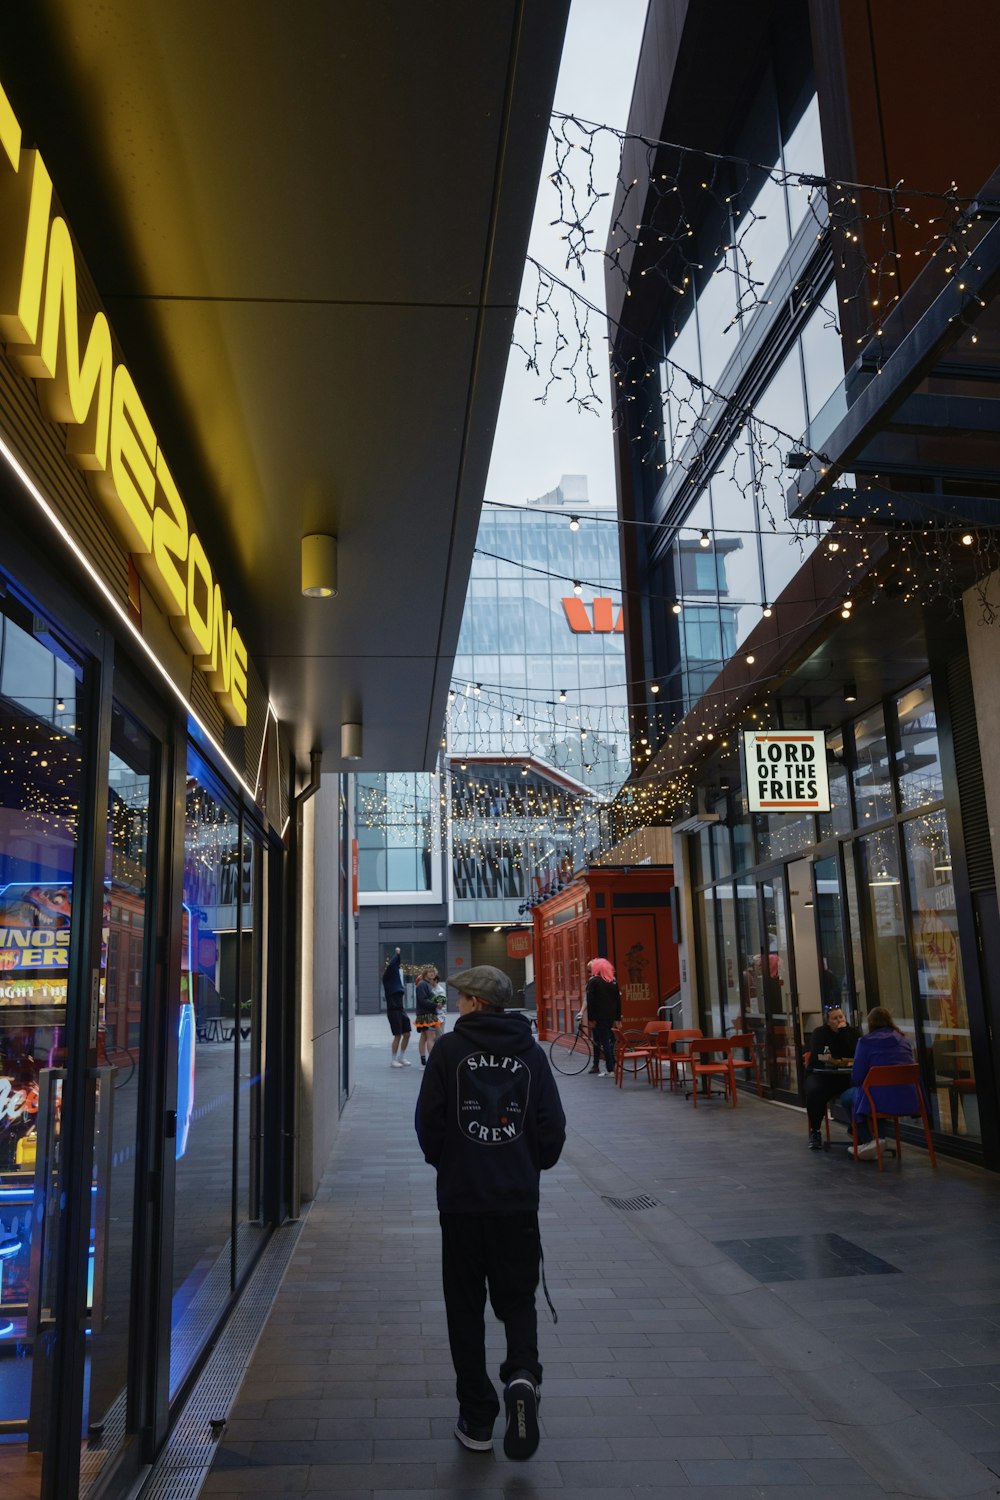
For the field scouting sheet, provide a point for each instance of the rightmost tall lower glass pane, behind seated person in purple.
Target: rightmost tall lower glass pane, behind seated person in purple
(939, 976)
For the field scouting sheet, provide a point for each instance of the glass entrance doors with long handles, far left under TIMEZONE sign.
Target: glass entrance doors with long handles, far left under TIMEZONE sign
(80, 805)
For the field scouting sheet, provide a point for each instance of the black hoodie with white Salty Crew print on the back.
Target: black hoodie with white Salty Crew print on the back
(490, 1115)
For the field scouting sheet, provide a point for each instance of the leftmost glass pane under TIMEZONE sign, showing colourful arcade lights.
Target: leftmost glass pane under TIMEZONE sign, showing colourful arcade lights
(41, 779)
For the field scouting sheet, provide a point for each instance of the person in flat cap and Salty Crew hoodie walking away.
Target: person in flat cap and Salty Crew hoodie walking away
(491, 1121)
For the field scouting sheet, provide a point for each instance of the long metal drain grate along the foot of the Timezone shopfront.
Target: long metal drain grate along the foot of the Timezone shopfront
(185, 1462)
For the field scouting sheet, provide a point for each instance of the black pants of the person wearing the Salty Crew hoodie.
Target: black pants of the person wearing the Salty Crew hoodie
(501, 1252)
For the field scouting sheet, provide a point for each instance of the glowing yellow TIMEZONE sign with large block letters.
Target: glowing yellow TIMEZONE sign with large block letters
(80, 382)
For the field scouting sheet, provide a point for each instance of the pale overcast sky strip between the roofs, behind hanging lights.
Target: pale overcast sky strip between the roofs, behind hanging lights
(536, 445)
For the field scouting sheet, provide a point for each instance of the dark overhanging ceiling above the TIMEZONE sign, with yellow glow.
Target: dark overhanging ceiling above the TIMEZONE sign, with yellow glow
(308, 224)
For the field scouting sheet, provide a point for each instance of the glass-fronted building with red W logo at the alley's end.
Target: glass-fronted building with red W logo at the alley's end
(536, 737)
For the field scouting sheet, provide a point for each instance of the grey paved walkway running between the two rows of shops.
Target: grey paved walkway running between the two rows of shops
(854, 1354)
